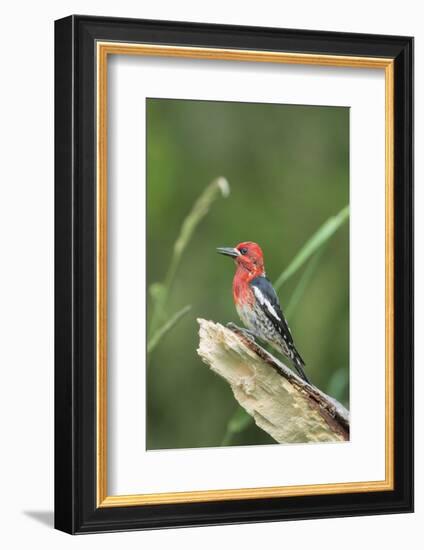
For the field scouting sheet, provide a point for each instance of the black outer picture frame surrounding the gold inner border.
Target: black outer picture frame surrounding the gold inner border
(76, 508)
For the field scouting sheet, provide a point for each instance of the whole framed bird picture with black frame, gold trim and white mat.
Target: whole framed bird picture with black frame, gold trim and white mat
(234, 274)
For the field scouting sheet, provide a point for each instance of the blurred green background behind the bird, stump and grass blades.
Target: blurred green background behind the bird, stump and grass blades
(288, 170)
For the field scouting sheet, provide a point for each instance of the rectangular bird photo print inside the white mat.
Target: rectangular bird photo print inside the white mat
(247, 274)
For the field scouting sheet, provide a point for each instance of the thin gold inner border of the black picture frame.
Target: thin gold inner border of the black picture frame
(103, 50)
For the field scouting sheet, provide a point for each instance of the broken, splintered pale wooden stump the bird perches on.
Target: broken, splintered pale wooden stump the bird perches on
(280, 402)
